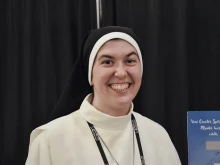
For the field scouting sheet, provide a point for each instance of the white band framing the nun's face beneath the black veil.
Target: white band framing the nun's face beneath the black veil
(106, 38)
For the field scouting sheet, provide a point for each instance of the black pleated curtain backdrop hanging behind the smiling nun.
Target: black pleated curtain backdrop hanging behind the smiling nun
(41, 41)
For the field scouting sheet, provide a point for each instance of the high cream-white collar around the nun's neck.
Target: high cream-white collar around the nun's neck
(102, 120)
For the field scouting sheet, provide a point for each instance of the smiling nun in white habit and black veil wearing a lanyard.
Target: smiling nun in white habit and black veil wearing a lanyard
(94, 122)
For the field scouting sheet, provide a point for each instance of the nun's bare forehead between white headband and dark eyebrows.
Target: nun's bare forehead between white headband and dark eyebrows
(116, 46)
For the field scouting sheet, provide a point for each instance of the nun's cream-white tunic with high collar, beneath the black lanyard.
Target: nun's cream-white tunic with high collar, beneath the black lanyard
(69, 141)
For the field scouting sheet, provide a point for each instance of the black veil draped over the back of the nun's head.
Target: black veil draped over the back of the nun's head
(77, 86)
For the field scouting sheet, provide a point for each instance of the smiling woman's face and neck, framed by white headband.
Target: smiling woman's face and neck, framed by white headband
(116, 75)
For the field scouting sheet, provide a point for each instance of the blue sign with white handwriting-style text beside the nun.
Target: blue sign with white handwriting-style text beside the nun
(203, 128)
